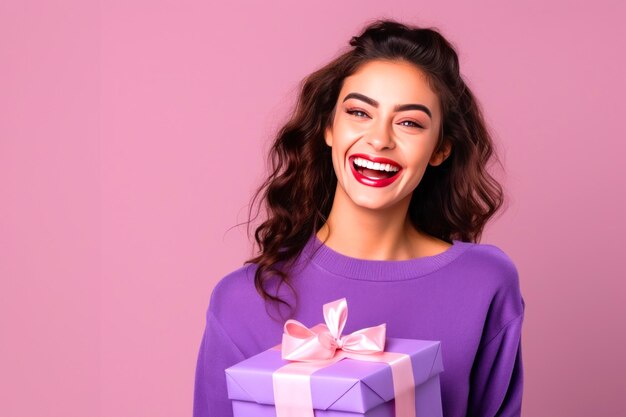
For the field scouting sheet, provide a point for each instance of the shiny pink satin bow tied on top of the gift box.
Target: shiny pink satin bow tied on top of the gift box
(322, 341)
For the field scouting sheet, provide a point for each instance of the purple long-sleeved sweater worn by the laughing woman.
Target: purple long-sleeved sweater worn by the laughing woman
(467, 297)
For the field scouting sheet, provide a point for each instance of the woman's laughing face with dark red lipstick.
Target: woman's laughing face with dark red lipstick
(368, 126)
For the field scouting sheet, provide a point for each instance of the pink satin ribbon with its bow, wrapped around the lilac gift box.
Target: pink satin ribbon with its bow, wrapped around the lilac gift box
(321, 346)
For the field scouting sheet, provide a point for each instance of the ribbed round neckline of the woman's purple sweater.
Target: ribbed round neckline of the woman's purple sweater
(379, 270)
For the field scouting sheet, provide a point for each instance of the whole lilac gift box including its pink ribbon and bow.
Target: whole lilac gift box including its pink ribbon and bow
(340, 386)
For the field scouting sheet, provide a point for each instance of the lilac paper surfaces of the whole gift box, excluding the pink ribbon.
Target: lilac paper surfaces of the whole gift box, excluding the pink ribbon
(349, 387)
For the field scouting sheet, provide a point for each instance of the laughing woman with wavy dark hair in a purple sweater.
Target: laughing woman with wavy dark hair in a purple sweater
(378, 194)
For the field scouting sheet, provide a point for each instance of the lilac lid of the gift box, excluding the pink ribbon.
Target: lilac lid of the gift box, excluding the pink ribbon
(348, 385)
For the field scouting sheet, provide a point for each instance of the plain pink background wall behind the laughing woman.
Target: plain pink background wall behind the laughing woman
(131, 139)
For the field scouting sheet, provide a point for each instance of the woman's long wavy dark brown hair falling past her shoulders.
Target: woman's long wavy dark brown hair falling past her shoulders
(454, 200)
